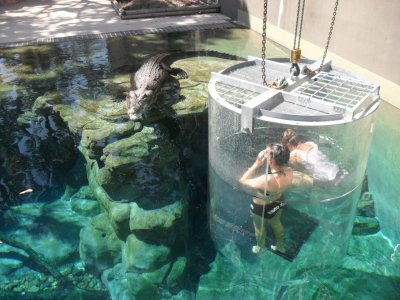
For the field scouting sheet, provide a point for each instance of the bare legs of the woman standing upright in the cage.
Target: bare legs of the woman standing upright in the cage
(260, 228)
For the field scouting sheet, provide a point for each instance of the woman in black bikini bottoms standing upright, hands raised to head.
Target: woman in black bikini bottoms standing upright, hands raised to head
(266, 207)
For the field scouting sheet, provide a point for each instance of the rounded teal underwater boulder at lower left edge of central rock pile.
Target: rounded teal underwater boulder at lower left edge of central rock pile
(99, 247)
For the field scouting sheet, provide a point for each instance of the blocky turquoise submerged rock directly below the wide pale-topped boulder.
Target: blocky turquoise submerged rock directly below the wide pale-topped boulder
(140, 256)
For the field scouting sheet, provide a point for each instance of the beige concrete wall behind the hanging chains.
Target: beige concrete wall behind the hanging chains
(366, 35)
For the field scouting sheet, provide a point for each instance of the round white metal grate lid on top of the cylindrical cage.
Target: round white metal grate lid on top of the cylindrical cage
(333, 95)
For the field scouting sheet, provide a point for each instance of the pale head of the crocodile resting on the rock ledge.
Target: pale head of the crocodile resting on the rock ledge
(139, 102)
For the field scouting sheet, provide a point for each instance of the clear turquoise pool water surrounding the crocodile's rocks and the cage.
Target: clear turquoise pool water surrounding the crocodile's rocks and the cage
(121, 211)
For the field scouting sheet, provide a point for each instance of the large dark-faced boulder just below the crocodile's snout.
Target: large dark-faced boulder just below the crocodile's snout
(138, 168)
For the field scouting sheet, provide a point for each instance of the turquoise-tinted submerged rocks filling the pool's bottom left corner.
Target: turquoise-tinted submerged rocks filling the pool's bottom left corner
(39, 250)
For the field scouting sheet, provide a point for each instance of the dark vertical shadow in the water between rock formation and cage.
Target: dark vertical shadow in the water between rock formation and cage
(193, 160)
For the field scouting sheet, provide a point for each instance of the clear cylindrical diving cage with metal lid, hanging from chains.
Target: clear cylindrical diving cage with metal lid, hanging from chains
(334, 109)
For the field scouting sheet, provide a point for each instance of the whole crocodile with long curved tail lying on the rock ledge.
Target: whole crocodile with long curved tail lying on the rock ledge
(148, 79)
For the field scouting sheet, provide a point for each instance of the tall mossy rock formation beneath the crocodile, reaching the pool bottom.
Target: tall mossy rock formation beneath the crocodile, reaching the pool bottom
(137, 235)
